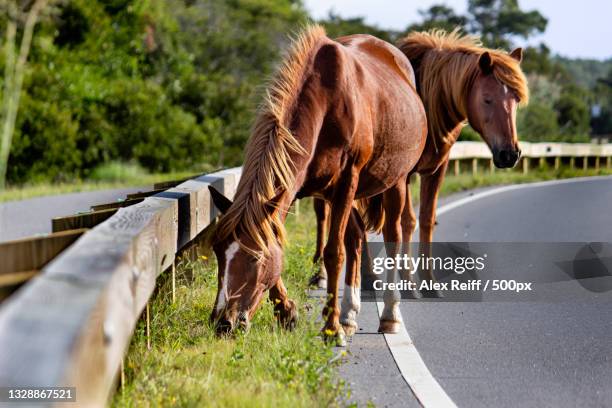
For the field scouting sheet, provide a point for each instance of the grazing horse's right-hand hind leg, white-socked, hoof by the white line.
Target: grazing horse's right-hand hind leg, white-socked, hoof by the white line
(394, 200)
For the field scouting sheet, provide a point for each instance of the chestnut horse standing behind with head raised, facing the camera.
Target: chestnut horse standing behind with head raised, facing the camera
(457, 80)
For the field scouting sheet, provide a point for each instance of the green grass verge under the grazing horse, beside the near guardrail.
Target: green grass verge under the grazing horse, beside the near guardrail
(189, 366)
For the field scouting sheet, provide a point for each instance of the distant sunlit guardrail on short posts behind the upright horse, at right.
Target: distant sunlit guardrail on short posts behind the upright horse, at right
(586, 154)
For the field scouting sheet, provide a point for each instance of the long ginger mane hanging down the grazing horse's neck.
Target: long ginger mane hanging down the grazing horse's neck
(268, 168)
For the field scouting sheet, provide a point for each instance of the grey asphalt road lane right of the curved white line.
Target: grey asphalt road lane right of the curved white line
(556, 351)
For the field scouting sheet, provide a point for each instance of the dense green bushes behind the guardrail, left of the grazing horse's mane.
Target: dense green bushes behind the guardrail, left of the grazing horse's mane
(168, 86)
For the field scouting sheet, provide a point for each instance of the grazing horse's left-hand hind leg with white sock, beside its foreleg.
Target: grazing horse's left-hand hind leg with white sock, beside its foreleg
(351, 299)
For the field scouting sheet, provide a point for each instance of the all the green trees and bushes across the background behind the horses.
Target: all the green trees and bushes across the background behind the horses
(173, 85)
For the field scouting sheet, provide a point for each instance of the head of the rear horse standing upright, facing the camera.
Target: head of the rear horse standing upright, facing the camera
(492, 111)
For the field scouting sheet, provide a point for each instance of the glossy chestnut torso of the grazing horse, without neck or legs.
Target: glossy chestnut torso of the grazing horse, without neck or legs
(373, 119)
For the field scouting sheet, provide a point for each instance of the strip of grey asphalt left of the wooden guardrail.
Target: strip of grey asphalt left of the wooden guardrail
(19, 219)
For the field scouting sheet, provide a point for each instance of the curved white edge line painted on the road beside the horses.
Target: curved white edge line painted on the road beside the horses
(414, 370)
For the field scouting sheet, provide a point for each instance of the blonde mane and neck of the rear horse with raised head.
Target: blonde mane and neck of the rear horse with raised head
(446, 65)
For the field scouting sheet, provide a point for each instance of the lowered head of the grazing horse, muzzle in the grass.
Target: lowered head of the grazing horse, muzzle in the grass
(244, 275)
